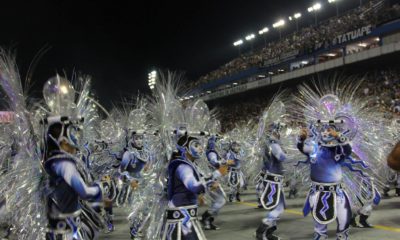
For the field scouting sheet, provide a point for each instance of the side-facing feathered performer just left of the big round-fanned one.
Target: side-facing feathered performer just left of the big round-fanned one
(270, 180)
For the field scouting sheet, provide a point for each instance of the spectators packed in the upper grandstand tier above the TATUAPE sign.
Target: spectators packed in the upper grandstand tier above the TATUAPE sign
(307, 39)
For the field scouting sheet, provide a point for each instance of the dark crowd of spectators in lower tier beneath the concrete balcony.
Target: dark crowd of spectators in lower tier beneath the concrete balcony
(382, 85)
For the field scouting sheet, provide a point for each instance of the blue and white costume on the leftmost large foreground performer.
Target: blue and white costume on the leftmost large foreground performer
(67, 189)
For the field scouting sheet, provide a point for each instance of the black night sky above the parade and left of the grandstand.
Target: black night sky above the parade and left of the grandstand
(119, 43)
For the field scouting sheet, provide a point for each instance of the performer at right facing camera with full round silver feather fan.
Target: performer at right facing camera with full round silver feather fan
(336, 116)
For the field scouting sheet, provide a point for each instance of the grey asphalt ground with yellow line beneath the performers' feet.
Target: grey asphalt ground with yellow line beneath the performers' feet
(239, 220)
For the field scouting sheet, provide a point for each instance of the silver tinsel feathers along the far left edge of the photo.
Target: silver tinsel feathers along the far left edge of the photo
(21, 186)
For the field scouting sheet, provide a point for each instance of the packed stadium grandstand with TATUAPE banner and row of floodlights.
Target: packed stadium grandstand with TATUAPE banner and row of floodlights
(367, 38)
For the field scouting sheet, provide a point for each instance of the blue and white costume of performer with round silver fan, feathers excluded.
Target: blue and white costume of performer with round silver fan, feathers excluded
(327, 200)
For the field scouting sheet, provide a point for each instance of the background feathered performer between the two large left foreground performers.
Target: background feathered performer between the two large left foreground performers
(135, 166)
